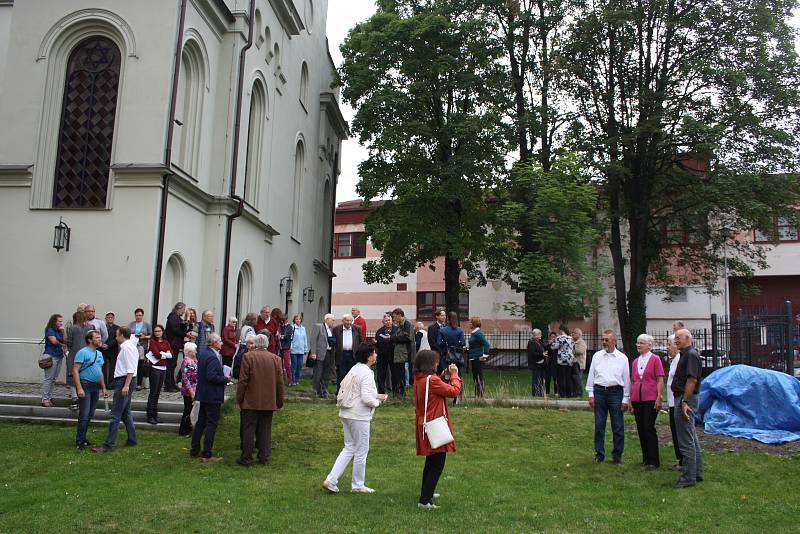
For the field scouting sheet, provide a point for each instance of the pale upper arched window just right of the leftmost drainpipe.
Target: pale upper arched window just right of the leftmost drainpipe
(188, 109)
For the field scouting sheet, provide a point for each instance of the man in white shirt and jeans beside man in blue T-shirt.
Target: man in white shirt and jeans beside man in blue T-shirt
(124, 384)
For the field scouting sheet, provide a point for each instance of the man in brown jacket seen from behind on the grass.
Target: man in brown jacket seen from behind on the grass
(259, 393)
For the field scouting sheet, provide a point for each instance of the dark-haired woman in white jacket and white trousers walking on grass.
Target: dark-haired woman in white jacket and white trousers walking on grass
(357, 399)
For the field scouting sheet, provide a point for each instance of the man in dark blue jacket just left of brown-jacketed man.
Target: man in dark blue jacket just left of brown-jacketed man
(210, 393)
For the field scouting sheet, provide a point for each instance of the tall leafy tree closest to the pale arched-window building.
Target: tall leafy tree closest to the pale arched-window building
(425, 81)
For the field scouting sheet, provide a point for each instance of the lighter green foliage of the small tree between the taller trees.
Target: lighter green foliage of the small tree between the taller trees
(558, 273)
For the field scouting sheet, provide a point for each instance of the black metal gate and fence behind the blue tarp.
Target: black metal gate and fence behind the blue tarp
(762, 338)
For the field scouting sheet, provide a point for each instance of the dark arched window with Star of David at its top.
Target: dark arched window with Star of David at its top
(86, 133)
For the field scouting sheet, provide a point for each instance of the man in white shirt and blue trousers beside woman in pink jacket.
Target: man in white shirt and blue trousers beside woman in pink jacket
(609, 389)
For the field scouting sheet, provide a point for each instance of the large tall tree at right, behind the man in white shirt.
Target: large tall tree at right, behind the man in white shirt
(660, 86)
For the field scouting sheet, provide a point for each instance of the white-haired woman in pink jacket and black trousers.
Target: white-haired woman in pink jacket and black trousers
(647, 383)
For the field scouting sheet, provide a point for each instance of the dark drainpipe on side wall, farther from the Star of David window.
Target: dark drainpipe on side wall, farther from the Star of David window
(234, 165)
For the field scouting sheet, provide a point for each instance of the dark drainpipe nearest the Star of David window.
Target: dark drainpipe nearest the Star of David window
(165, 179)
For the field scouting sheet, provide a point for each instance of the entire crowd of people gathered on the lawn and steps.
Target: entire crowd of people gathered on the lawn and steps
(267, 353)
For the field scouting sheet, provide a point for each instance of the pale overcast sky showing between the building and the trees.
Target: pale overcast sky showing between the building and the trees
(343, 15)
